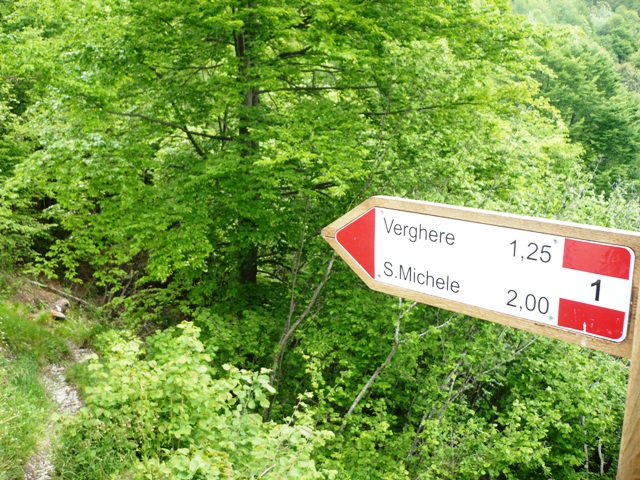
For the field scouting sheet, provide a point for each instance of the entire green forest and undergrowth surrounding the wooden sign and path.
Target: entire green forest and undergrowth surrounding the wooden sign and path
(171, 164)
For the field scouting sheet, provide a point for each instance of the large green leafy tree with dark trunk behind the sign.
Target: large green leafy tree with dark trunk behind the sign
(196, 166)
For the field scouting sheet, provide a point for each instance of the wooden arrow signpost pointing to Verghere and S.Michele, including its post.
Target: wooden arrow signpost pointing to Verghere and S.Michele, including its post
(566, 281)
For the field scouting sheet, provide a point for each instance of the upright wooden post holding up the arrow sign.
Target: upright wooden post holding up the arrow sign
(629, 460)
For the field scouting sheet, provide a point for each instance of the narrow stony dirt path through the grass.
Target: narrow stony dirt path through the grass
(39, 466)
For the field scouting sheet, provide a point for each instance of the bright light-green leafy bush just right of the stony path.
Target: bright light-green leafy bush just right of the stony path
(164, 412)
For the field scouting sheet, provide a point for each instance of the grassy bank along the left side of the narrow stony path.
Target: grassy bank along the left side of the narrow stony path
(30, 338)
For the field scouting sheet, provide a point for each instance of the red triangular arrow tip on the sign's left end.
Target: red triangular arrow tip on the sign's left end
(358, 239)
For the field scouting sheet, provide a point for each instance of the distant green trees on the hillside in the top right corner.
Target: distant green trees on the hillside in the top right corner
(594, 88)
